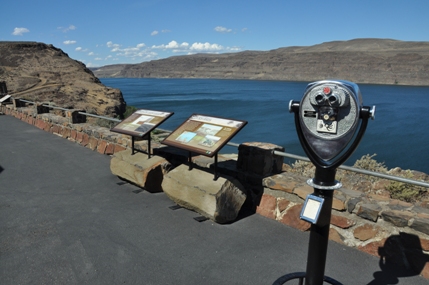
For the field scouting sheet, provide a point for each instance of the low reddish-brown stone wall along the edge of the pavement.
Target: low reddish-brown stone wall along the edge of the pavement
(393, 230)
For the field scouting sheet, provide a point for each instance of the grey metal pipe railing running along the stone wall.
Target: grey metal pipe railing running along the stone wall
(284, 154)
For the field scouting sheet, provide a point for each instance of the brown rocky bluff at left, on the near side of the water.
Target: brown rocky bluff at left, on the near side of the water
(43, 73)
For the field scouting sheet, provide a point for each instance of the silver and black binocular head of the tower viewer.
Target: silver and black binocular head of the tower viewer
(328, 118)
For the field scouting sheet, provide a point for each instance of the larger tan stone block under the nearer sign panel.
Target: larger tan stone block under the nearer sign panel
(219, 200)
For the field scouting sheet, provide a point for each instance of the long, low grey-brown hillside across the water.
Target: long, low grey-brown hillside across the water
(377, 61)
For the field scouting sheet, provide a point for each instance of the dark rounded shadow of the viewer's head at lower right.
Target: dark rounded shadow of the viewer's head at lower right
(401, 256)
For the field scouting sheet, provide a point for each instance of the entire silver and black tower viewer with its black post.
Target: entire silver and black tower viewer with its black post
(330, 122)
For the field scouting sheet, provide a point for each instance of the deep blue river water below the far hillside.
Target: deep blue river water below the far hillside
(398, 135)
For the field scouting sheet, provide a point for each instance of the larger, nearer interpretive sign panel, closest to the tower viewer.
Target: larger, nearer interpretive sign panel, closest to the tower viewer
(203, 134)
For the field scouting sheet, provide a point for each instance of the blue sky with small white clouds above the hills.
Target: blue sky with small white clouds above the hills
(110, 32)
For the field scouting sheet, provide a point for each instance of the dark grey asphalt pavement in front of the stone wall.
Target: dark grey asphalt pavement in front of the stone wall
(65, 219)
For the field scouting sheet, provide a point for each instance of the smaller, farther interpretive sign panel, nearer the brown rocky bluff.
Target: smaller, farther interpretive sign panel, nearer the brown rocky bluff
(141, 122)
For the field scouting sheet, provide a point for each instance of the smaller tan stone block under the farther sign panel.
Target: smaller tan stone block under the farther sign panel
(137, 168)
